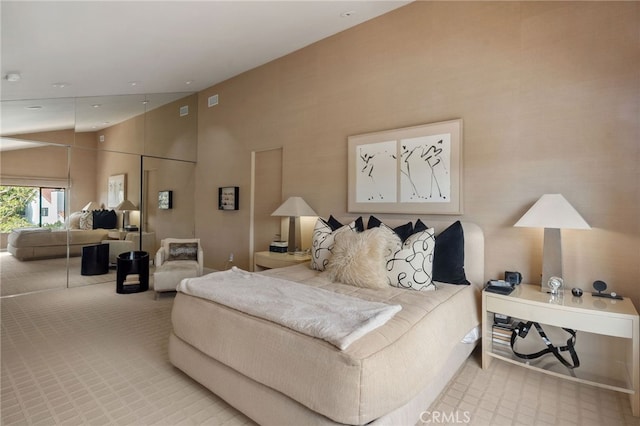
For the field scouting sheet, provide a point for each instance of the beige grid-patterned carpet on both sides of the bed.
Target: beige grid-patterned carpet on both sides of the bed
(87, 355)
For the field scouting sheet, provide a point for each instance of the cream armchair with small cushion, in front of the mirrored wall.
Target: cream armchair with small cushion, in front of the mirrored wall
(175, 260)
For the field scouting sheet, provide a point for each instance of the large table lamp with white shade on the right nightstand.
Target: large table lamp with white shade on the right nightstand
(553, 213)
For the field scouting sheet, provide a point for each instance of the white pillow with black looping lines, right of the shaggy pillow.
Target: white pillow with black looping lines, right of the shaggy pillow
(411, 265)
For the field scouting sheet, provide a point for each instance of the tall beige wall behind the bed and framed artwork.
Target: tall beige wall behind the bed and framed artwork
(550, 97)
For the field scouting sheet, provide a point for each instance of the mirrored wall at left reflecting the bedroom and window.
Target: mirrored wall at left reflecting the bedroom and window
(93, 153)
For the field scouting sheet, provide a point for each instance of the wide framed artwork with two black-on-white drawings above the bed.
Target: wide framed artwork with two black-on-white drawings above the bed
(410, 170)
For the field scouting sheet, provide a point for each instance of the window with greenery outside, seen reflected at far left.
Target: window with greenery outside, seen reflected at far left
(27, 206)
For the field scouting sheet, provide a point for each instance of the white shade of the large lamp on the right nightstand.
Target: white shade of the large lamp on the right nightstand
(552, 211)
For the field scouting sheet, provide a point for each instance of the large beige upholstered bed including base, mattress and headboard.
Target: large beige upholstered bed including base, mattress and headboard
(387, 376)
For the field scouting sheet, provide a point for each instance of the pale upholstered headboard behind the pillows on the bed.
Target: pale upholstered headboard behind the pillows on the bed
(473, 241)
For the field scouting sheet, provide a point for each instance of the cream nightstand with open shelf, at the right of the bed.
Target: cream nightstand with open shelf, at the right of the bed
(607, 341)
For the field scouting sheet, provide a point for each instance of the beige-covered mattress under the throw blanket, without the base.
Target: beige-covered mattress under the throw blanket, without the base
(376, 374)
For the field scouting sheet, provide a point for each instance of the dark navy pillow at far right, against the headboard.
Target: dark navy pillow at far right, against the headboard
(448, 256)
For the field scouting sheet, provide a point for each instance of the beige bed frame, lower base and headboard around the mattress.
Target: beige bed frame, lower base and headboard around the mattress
(269, 407)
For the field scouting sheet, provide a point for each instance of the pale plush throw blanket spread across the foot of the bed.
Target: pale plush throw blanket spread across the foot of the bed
(334, 317)
